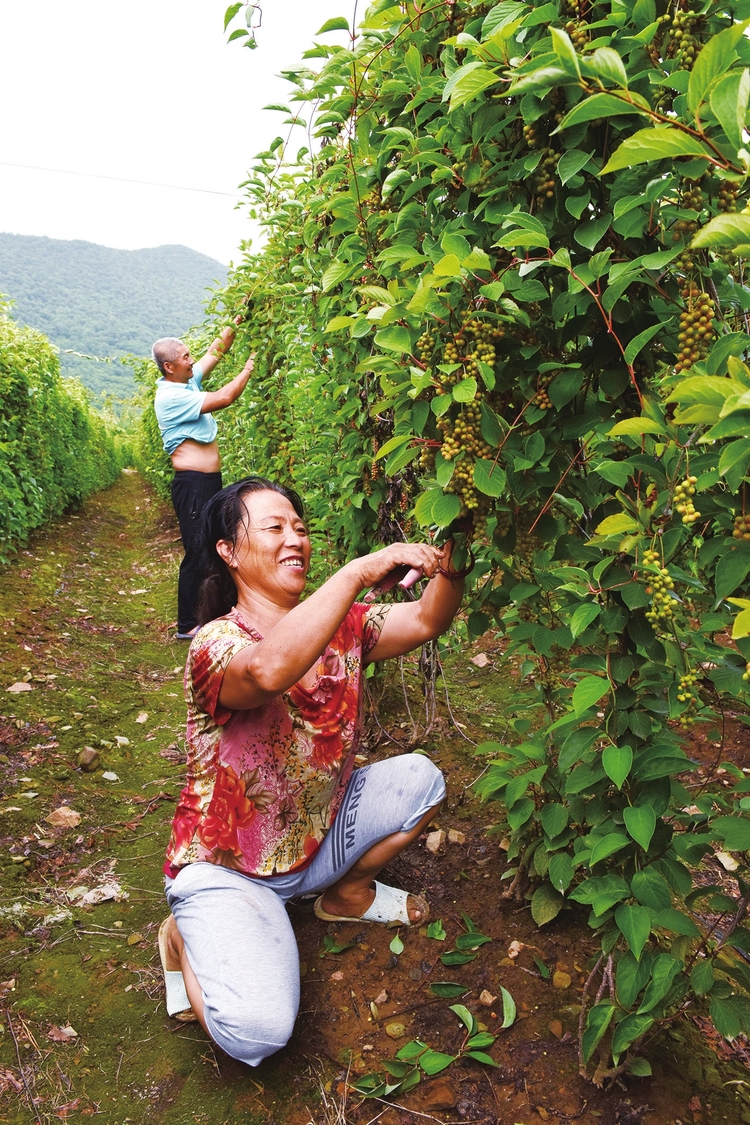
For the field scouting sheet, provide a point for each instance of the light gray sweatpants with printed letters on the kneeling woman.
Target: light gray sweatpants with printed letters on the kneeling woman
(238, 935)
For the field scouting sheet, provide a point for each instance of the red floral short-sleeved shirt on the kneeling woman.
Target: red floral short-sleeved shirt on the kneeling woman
(265, 786)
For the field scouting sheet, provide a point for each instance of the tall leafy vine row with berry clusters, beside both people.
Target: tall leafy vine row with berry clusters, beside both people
(503, 299)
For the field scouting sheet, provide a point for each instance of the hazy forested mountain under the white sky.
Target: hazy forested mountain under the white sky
(104, 302)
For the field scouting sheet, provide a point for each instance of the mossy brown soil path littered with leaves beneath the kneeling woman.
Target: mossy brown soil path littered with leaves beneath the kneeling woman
(87, 623)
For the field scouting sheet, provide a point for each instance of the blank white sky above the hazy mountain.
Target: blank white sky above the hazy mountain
(146, 91)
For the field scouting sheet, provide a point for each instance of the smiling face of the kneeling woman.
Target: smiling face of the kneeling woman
(272, 554)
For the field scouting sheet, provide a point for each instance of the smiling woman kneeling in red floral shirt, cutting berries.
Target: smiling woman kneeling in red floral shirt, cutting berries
(273, 809)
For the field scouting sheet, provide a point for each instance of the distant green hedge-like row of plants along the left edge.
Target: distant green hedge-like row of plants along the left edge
(56, 449)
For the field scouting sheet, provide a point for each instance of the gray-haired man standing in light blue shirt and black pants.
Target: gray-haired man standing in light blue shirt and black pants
(185, 416)
